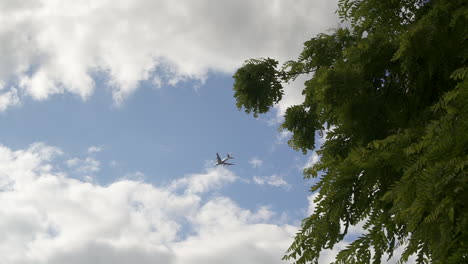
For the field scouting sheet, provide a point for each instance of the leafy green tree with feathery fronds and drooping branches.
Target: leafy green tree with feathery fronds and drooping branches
(392, 88)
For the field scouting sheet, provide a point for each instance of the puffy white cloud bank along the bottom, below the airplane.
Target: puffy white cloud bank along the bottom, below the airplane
(48, 217)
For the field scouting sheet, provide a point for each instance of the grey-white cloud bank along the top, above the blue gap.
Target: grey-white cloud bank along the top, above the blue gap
(54, 47)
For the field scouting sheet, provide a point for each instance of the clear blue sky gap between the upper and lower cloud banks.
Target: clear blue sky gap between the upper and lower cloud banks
(162, 134)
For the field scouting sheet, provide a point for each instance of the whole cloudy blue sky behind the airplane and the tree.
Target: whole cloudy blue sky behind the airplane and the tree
(112, 113)
